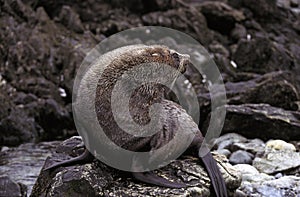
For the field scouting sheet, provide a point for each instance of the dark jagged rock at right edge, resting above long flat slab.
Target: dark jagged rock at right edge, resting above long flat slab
(273, 88)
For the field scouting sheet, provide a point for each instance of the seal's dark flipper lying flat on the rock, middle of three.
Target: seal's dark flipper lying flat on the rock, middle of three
(151, 178)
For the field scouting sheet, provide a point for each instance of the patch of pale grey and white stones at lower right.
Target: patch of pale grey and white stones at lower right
(273, 169)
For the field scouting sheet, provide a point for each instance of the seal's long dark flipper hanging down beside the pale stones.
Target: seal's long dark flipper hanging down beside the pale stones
(215, 175)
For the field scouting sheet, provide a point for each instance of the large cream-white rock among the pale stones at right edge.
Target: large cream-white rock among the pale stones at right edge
(277, 158)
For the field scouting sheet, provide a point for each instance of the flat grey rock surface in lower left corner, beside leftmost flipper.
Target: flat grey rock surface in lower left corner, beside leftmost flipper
(22, 164)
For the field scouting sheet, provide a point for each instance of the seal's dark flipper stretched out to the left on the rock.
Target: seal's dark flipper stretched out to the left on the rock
(84, 158)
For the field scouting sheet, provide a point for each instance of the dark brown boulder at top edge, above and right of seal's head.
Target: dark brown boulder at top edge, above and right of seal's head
(220, 16)
